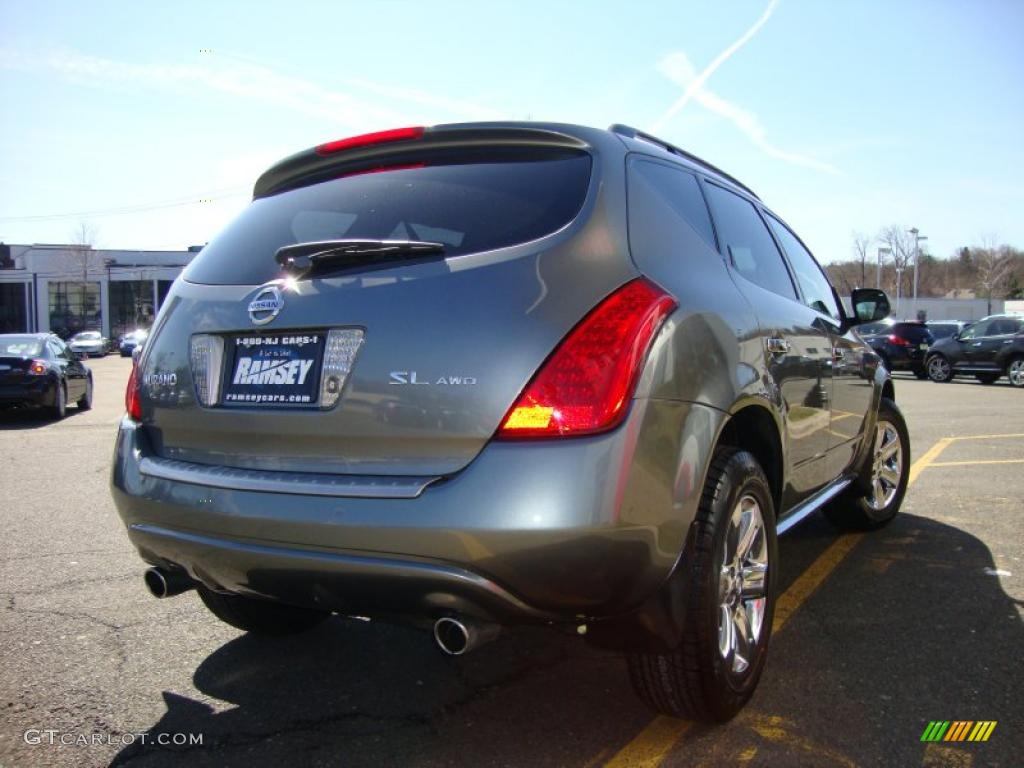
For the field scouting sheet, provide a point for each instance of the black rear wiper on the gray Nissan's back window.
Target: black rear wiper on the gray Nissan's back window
(305, 259)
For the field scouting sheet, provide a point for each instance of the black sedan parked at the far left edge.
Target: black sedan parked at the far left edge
(41, 370)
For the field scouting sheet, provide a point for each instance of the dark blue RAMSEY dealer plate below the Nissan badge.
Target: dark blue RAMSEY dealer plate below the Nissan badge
(280, 370)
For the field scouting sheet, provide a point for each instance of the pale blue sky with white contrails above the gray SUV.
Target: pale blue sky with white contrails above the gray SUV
(149, 123)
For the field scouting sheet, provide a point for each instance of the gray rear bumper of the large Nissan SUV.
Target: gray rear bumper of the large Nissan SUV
(587, 528)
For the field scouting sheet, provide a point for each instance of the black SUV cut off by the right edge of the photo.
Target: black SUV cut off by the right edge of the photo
(989, 350)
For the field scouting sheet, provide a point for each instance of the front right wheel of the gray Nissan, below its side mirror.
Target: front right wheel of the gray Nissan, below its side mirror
(876, 498)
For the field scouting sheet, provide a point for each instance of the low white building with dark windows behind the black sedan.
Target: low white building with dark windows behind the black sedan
(69, 288)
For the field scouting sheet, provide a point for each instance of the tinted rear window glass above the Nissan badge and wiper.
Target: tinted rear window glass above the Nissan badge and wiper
(508, 199)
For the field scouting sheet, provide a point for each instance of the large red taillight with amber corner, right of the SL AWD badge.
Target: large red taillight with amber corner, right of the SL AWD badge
(584, 387)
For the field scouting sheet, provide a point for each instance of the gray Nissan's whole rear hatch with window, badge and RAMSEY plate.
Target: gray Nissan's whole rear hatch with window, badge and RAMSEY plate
(429, 349)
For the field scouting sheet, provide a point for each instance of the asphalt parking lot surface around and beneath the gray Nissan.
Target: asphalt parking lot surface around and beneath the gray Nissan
(876, 636)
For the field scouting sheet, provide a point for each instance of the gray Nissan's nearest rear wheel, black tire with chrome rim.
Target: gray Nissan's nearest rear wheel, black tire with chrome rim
(730, 566)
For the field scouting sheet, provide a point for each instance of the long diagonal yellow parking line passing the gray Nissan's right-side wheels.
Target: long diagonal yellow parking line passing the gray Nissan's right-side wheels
(654, 744)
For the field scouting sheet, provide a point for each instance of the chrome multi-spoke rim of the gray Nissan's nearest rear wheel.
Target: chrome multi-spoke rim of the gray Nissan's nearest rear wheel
(743, 586)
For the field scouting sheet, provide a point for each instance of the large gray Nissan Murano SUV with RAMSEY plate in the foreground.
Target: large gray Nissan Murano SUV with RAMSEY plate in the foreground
(518, 374)
